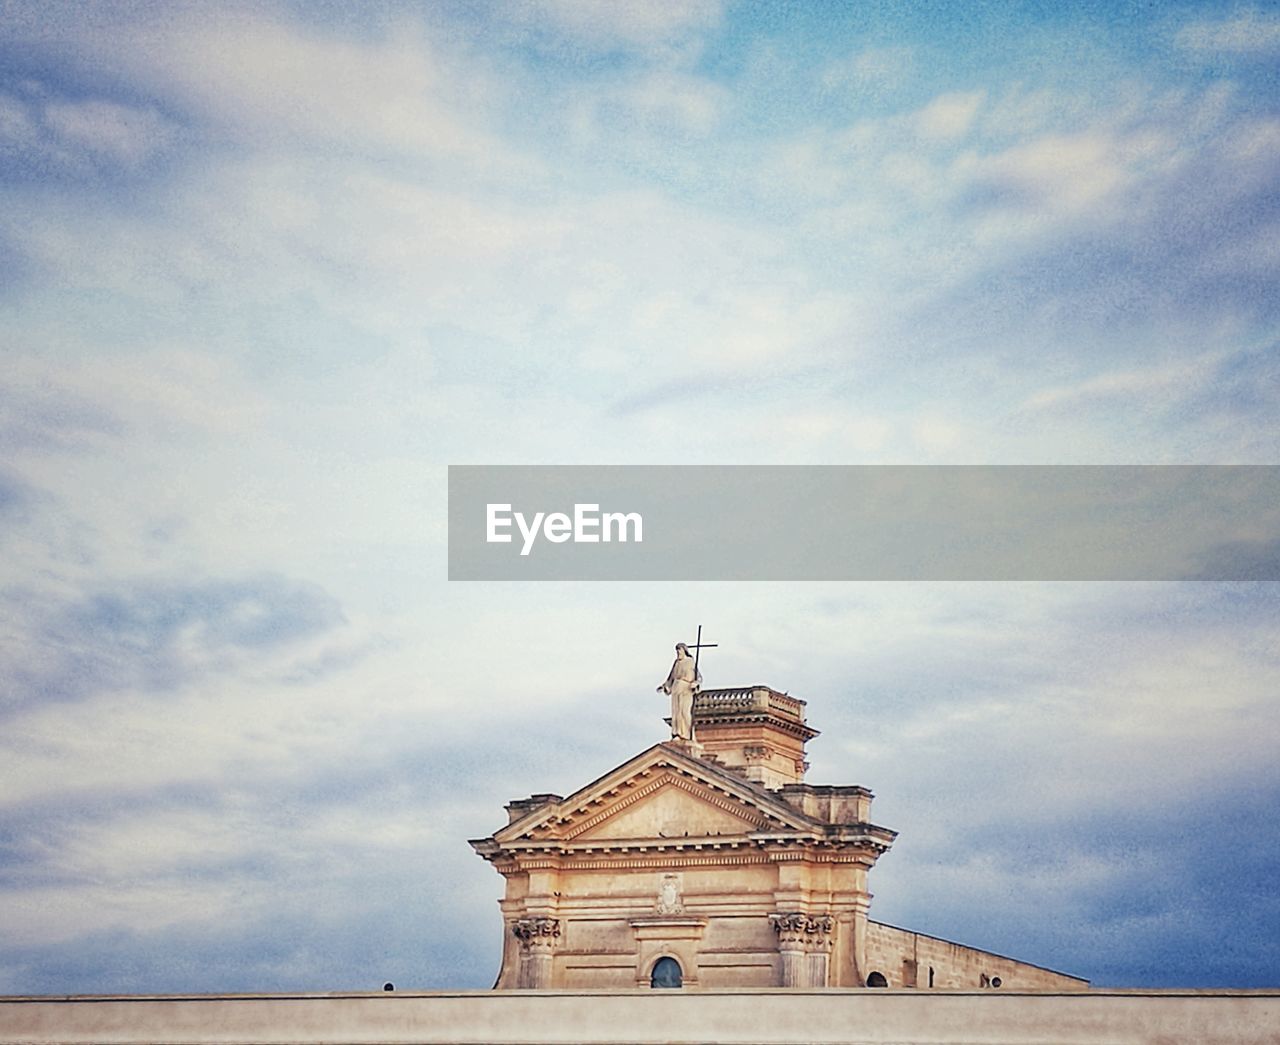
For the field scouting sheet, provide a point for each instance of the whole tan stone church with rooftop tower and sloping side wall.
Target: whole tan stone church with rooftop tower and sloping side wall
(711, 864)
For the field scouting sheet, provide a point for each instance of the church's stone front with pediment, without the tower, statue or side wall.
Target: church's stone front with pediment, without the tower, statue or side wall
(670, 827)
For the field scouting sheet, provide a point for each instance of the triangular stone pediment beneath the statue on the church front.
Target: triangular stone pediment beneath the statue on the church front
(660, 795)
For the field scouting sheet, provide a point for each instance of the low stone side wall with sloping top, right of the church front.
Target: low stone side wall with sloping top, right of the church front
(913, 960)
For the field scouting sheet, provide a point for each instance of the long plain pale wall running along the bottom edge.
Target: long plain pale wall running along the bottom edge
(743, 1016)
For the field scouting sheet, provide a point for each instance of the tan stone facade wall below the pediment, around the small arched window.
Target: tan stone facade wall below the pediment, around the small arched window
(610, 925)
